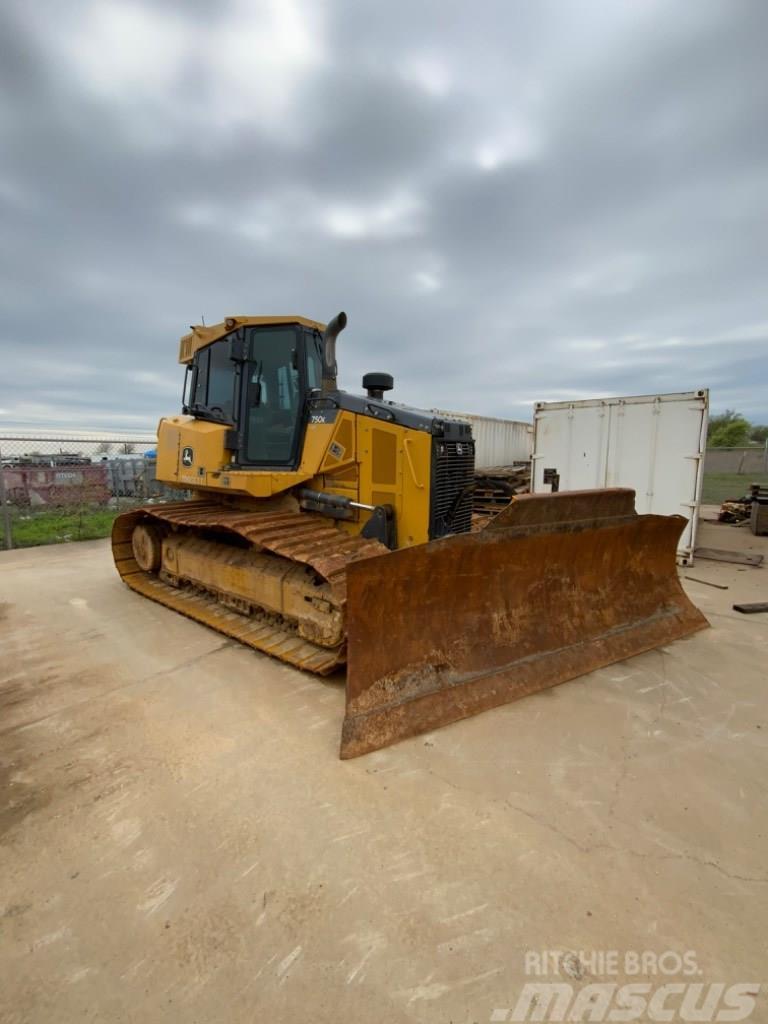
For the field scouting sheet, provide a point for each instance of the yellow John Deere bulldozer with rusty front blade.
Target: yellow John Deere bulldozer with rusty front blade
(334, 531)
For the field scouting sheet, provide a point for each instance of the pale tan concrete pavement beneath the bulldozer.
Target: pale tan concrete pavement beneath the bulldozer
(180, 842)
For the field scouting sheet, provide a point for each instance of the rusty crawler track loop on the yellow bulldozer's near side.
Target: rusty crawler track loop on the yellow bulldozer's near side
(301, 538)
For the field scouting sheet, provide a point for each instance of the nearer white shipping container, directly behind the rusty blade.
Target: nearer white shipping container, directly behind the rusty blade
(654, 444)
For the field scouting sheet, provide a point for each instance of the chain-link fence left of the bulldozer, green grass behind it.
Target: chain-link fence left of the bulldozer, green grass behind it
(58, 488)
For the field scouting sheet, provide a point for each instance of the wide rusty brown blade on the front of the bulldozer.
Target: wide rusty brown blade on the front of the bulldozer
(554, 587)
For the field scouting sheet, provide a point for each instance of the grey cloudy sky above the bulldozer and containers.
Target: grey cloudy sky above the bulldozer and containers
(514, 201)
